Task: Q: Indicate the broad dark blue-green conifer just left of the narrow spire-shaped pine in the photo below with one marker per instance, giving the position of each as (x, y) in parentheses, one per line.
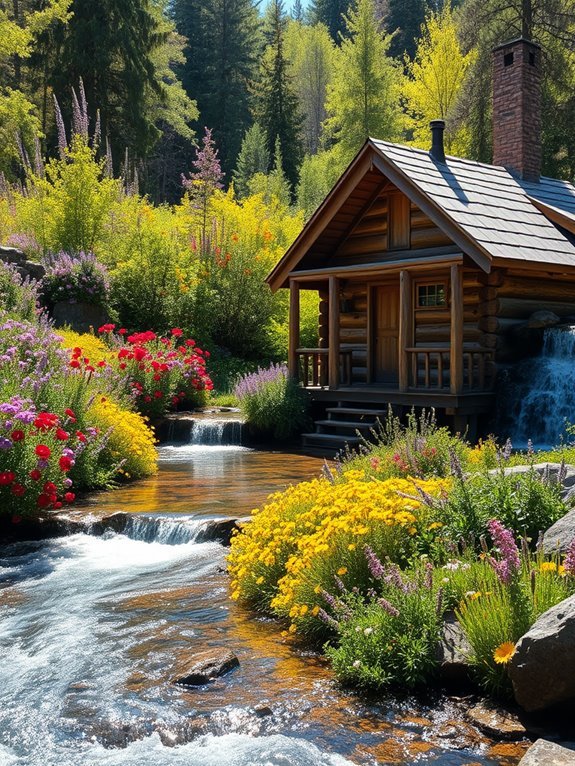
(221, 63)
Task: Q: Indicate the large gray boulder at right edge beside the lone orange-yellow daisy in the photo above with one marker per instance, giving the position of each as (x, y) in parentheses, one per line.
(542, 669)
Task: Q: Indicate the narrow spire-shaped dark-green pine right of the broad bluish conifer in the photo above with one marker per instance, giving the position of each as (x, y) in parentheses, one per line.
(277, 108)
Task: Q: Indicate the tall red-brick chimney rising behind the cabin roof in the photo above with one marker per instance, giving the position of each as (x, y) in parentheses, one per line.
(517, 108)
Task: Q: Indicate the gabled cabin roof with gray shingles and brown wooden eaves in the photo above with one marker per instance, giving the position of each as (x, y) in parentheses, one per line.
(488, 213)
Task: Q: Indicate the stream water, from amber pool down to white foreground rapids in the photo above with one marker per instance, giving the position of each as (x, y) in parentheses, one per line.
(94, 629)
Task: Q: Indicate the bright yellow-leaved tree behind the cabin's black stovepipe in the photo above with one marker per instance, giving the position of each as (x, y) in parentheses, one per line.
(435, 79)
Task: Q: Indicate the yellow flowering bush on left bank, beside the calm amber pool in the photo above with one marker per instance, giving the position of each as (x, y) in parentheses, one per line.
(131, 440)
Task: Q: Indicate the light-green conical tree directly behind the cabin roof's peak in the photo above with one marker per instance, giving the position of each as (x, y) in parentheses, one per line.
(363, 99)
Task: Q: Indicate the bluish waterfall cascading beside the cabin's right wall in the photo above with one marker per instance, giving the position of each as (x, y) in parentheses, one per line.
(545, 391)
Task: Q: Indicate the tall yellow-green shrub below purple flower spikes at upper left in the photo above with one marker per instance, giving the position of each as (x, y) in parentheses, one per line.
(69, 207)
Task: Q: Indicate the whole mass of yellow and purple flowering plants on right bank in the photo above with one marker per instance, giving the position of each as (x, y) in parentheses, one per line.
(368, 560)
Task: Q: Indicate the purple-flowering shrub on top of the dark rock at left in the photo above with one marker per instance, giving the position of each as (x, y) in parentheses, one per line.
(74, 279)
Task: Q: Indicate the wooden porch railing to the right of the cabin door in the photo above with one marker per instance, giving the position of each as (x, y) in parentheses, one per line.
(429, 368)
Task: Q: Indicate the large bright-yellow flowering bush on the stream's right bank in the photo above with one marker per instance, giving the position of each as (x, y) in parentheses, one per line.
(304, 537)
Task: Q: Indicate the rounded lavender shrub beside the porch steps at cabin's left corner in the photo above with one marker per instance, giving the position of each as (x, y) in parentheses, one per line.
(271, 402)
